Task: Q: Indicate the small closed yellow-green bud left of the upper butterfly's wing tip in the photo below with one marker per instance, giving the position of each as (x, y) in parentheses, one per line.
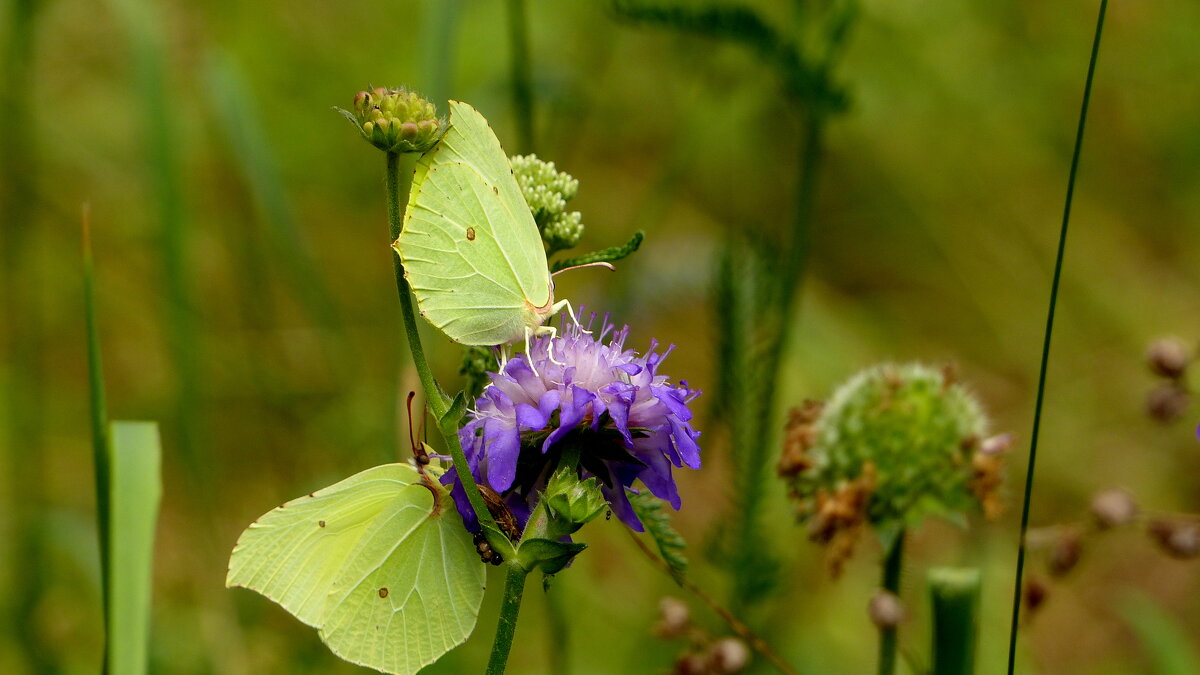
(397, 121)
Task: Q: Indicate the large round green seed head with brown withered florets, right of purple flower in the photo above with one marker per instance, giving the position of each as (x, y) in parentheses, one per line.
(895, 444)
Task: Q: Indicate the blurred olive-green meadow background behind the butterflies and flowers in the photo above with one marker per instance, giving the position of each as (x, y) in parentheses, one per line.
(247, 298)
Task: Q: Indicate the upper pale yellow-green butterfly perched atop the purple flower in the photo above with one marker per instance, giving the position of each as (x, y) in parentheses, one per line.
(470, 246)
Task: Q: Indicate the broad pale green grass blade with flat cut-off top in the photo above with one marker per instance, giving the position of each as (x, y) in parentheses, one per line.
(135, 491)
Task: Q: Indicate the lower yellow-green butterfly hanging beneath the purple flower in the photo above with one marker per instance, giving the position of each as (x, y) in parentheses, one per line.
(380, 564)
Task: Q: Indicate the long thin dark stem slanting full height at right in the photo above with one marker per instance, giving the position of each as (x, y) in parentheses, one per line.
(1046, 345)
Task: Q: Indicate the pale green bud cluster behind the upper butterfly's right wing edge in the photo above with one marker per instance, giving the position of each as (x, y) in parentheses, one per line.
(548, 192)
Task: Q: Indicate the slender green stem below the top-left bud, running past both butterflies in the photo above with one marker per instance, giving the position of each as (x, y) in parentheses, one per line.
(398, 200)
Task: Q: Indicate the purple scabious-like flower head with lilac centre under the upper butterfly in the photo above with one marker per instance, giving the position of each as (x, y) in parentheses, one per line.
(628, 421)
